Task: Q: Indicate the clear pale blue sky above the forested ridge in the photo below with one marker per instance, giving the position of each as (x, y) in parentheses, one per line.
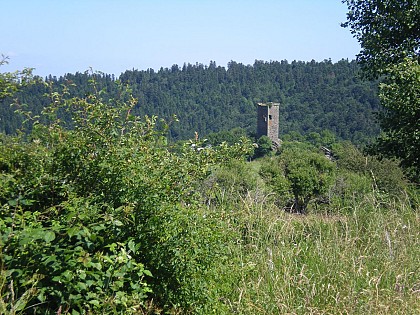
(112, 36)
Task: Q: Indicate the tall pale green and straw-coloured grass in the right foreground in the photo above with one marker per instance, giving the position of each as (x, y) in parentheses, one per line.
(365, 261)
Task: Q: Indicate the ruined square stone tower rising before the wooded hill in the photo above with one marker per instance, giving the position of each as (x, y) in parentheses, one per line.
(268, 121)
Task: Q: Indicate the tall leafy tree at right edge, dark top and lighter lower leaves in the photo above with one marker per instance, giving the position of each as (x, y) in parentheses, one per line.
(389, 34)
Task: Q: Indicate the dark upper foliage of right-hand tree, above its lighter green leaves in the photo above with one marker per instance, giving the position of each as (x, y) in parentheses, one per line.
(388, 32)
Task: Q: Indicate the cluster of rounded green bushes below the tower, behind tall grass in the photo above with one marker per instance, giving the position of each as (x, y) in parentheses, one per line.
(301, 177)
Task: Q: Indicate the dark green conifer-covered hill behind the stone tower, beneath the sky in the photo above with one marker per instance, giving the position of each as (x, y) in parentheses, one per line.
(208, 98)
